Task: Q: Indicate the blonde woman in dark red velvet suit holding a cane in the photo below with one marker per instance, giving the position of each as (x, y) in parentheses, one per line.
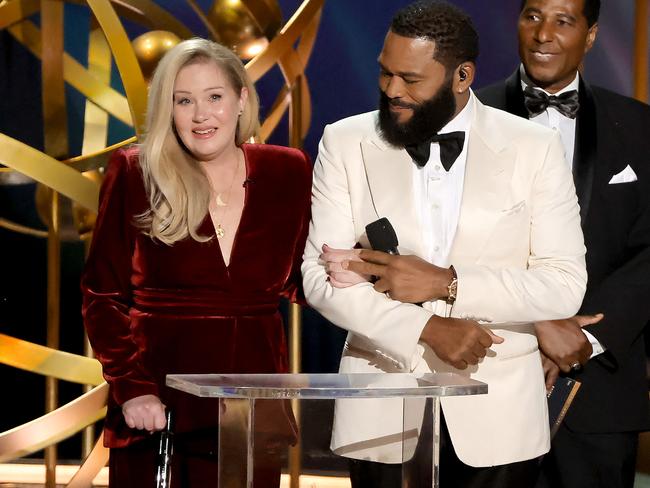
(198, 237)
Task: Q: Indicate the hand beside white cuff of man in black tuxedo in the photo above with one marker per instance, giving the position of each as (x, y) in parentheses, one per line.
(563, 340)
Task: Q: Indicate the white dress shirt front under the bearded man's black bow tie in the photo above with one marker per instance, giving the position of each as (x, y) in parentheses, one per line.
(437, 192)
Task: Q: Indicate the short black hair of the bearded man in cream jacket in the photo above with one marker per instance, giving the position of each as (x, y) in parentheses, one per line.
(450, 29)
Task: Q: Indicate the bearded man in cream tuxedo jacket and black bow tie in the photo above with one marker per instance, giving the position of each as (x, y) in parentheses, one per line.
(490, 242)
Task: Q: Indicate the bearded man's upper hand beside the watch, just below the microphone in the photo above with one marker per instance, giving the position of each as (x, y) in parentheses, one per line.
(408, 279)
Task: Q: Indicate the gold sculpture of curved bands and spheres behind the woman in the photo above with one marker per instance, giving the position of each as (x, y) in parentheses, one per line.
(67, 195)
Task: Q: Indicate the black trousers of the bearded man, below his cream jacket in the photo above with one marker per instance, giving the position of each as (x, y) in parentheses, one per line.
(453, 472)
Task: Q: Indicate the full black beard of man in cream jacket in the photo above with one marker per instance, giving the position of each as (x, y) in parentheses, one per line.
(426, 120)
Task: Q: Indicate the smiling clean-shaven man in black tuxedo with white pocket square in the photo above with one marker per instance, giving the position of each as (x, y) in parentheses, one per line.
(607, 140)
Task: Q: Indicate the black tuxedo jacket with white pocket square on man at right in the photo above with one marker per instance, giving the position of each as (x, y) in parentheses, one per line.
(612, 132)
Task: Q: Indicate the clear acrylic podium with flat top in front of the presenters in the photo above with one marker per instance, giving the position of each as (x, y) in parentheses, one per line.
(256, 420)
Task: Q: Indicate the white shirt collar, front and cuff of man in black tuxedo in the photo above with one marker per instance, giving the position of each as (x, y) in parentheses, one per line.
(552, 118)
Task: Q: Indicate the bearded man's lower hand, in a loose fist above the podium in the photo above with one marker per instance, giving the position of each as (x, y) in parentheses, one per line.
(458, 342)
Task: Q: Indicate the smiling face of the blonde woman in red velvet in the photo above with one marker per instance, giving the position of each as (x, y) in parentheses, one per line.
(206, 109)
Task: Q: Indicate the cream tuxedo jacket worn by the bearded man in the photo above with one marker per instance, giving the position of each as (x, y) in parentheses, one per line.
(519, 255)
